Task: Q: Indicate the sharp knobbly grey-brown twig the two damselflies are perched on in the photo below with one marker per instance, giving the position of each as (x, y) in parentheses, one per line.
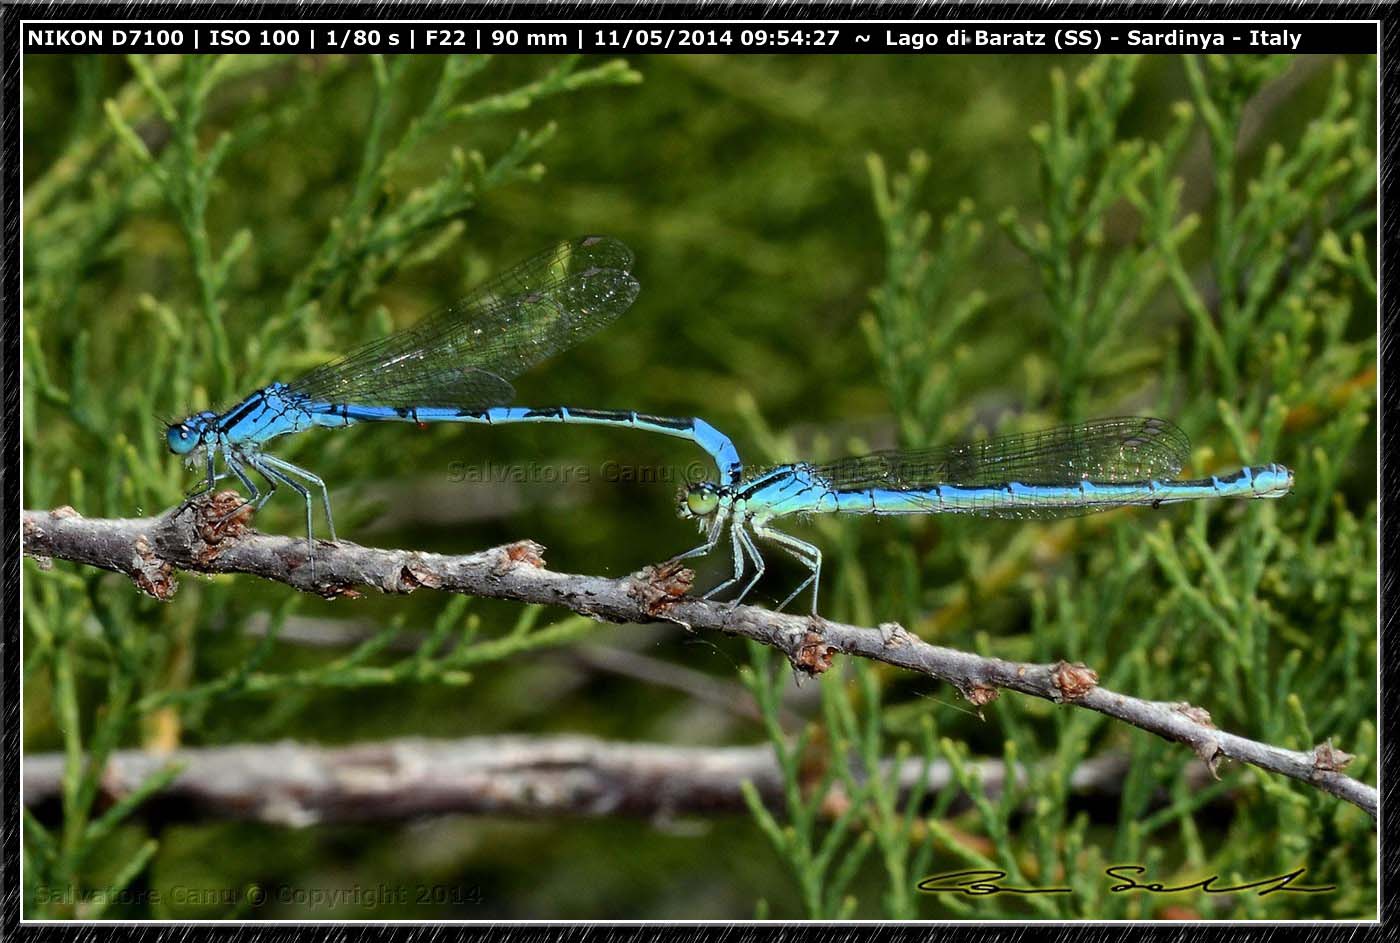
(149, 551)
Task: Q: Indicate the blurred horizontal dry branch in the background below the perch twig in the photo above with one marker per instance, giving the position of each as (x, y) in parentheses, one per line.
(296, 784)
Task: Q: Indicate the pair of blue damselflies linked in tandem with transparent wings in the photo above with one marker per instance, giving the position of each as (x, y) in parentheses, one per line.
(457, 366)
